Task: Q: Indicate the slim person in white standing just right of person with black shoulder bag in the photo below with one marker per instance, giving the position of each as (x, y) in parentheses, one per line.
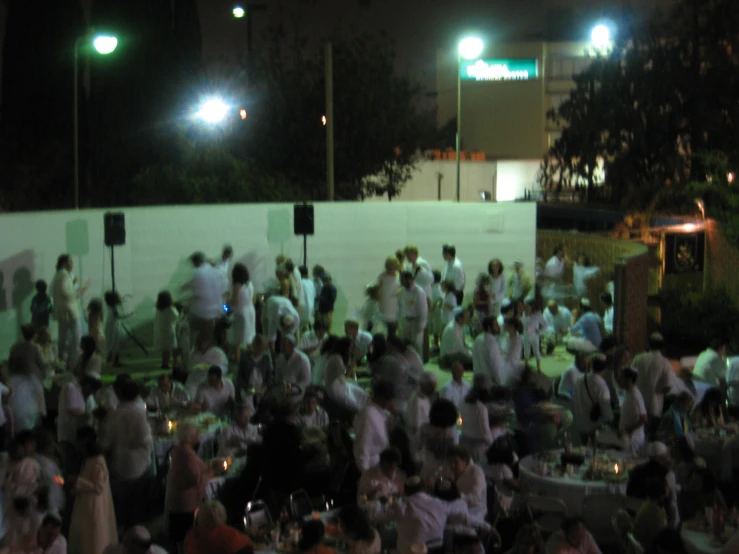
(655, 379)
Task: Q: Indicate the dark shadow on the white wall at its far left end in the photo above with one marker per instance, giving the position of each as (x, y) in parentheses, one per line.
(16, 291)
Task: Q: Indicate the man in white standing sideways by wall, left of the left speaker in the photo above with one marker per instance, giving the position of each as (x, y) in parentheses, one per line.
(66, 309)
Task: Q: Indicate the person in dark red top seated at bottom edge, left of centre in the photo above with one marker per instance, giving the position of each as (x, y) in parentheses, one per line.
(211, 534)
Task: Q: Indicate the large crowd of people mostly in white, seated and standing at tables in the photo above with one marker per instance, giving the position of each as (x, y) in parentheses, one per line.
(354, 420)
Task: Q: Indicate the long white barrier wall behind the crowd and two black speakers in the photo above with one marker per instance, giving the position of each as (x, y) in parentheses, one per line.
(351, 241)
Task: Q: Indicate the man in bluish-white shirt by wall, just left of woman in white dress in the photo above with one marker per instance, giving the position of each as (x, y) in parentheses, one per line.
(207, 287)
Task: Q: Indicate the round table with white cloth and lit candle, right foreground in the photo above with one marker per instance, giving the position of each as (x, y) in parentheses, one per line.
(571, 490)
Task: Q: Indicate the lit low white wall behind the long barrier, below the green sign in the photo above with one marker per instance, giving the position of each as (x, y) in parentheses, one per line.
(505, 180)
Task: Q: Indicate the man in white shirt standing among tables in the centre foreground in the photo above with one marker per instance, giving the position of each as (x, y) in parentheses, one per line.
(370, 427)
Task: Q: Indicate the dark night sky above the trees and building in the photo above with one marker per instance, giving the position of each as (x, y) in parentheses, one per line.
(419, 27)
